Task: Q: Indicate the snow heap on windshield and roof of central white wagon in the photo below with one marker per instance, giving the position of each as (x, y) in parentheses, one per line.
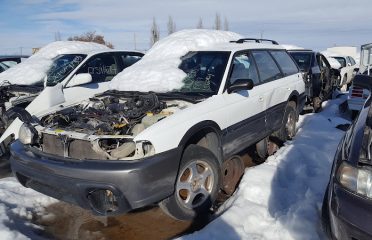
(158, 70)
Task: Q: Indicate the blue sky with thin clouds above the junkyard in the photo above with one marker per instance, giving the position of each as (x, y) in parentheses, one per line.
(315, 24)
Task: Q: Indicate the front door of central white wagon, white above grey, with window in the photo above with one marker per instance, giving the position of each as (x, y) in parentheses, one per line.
(246, 111)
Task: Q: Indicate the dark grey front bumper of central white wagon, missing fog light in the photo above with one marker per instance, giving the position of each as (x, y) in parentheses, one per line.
(135, 184)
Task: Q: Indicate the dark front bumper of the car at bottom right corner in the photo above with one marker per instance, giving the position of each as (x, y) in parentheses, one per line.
(350, 214)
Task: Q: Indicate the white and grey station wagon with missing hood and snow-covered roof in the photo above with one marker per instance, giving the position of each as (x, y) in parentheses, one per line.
(171, 139)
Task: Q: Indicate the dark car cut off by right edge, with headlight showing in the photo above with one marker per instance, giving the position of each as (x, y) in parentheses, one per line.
(347, 205)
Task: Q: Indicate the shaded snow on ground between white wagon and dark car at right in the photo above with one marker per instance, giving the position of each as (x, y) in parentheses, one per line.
(282, 198)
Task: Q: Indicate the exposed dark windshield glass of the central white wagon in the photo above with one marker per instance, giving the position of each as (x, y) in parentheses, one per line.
(204, 72)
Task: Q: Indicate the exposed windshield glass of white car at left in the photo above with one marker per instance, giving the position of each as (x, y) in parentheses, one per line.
(62, 66)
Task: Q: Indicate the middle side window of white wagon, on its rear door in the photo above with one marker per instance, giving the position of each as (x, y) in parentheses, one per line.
(266, 65)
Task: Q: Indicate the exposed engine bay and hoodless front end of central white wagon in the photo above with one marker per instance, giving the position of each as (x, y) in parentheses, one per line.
(104, 127)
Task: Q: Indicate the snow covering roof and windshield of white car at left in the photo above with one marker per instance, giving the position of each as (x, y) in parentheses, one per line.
(34, 69)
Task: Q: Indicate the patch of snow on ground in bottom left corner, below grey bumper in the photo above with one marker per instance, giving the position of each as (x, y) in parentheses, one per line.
(18, 207)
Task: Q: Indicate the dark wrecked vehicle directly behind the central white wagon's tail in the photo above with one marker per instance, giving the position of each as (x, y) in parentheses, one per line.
(320, 78)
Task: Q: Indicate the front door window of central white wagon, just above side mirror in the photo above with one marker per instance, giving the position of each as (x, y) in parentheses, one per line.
(243, 68)
